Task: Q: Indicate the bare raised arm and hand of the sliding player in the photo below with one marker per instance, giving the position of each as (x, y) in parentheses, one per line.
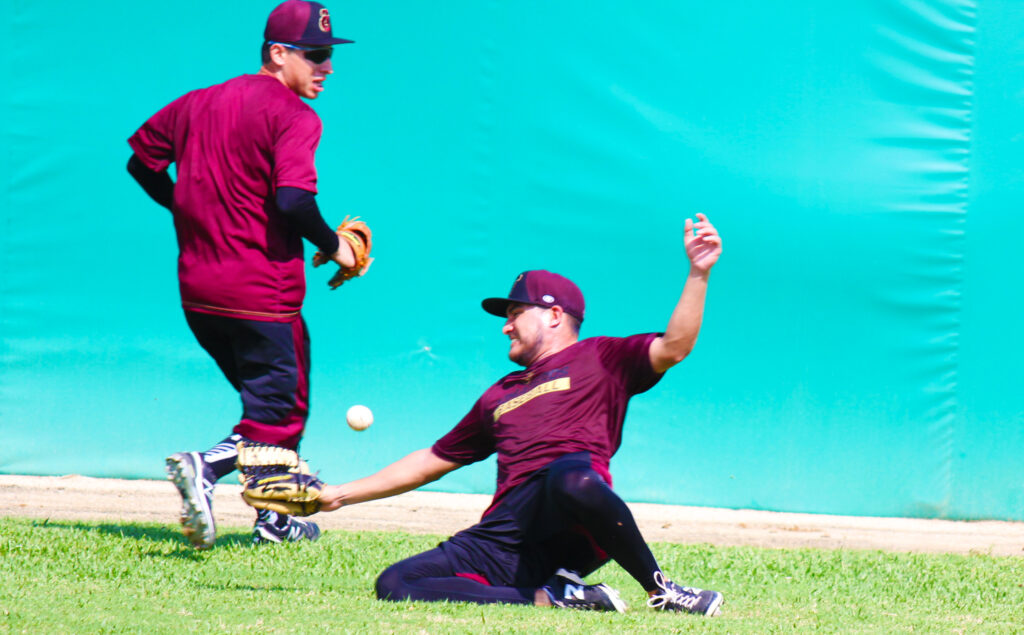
(704, 246)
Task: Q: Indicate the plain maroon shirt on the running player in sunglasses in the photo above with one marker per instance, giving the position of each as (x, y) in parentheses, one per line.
(235, 144)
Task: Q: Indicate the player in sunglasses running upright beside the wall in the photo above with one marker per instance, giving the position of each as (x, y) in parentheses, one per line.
(244, 200)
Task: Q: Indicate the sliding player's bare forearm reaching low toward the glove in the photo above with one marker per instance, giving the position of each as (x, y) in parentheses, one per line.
(417, 470)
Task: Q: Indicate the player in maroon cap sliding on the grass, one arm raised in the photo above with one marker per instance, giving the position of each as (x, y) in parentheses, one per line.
(556, 427)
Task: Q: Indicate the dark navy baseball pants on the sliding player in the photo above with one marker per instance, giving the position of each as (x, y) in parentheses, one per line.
(566, 516)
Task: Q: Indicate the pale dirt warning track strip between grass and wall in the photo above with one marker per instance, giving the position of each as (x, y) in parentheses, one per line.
(82, 498)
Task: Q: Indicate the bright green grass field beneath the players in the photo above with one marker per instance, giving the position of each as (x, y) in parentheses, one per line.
(64, 577)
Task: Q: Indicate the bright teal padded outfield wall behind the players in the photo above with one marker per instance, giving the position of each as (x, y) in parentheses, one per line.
(862, 158)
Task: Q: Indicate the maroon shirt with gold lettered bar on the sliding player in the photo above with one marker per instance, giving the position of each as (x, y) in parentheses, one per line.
(574, 401)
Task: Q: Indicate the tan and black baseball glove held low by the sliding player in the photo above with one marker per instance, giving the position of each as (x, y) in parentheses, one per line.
(276, 479)
